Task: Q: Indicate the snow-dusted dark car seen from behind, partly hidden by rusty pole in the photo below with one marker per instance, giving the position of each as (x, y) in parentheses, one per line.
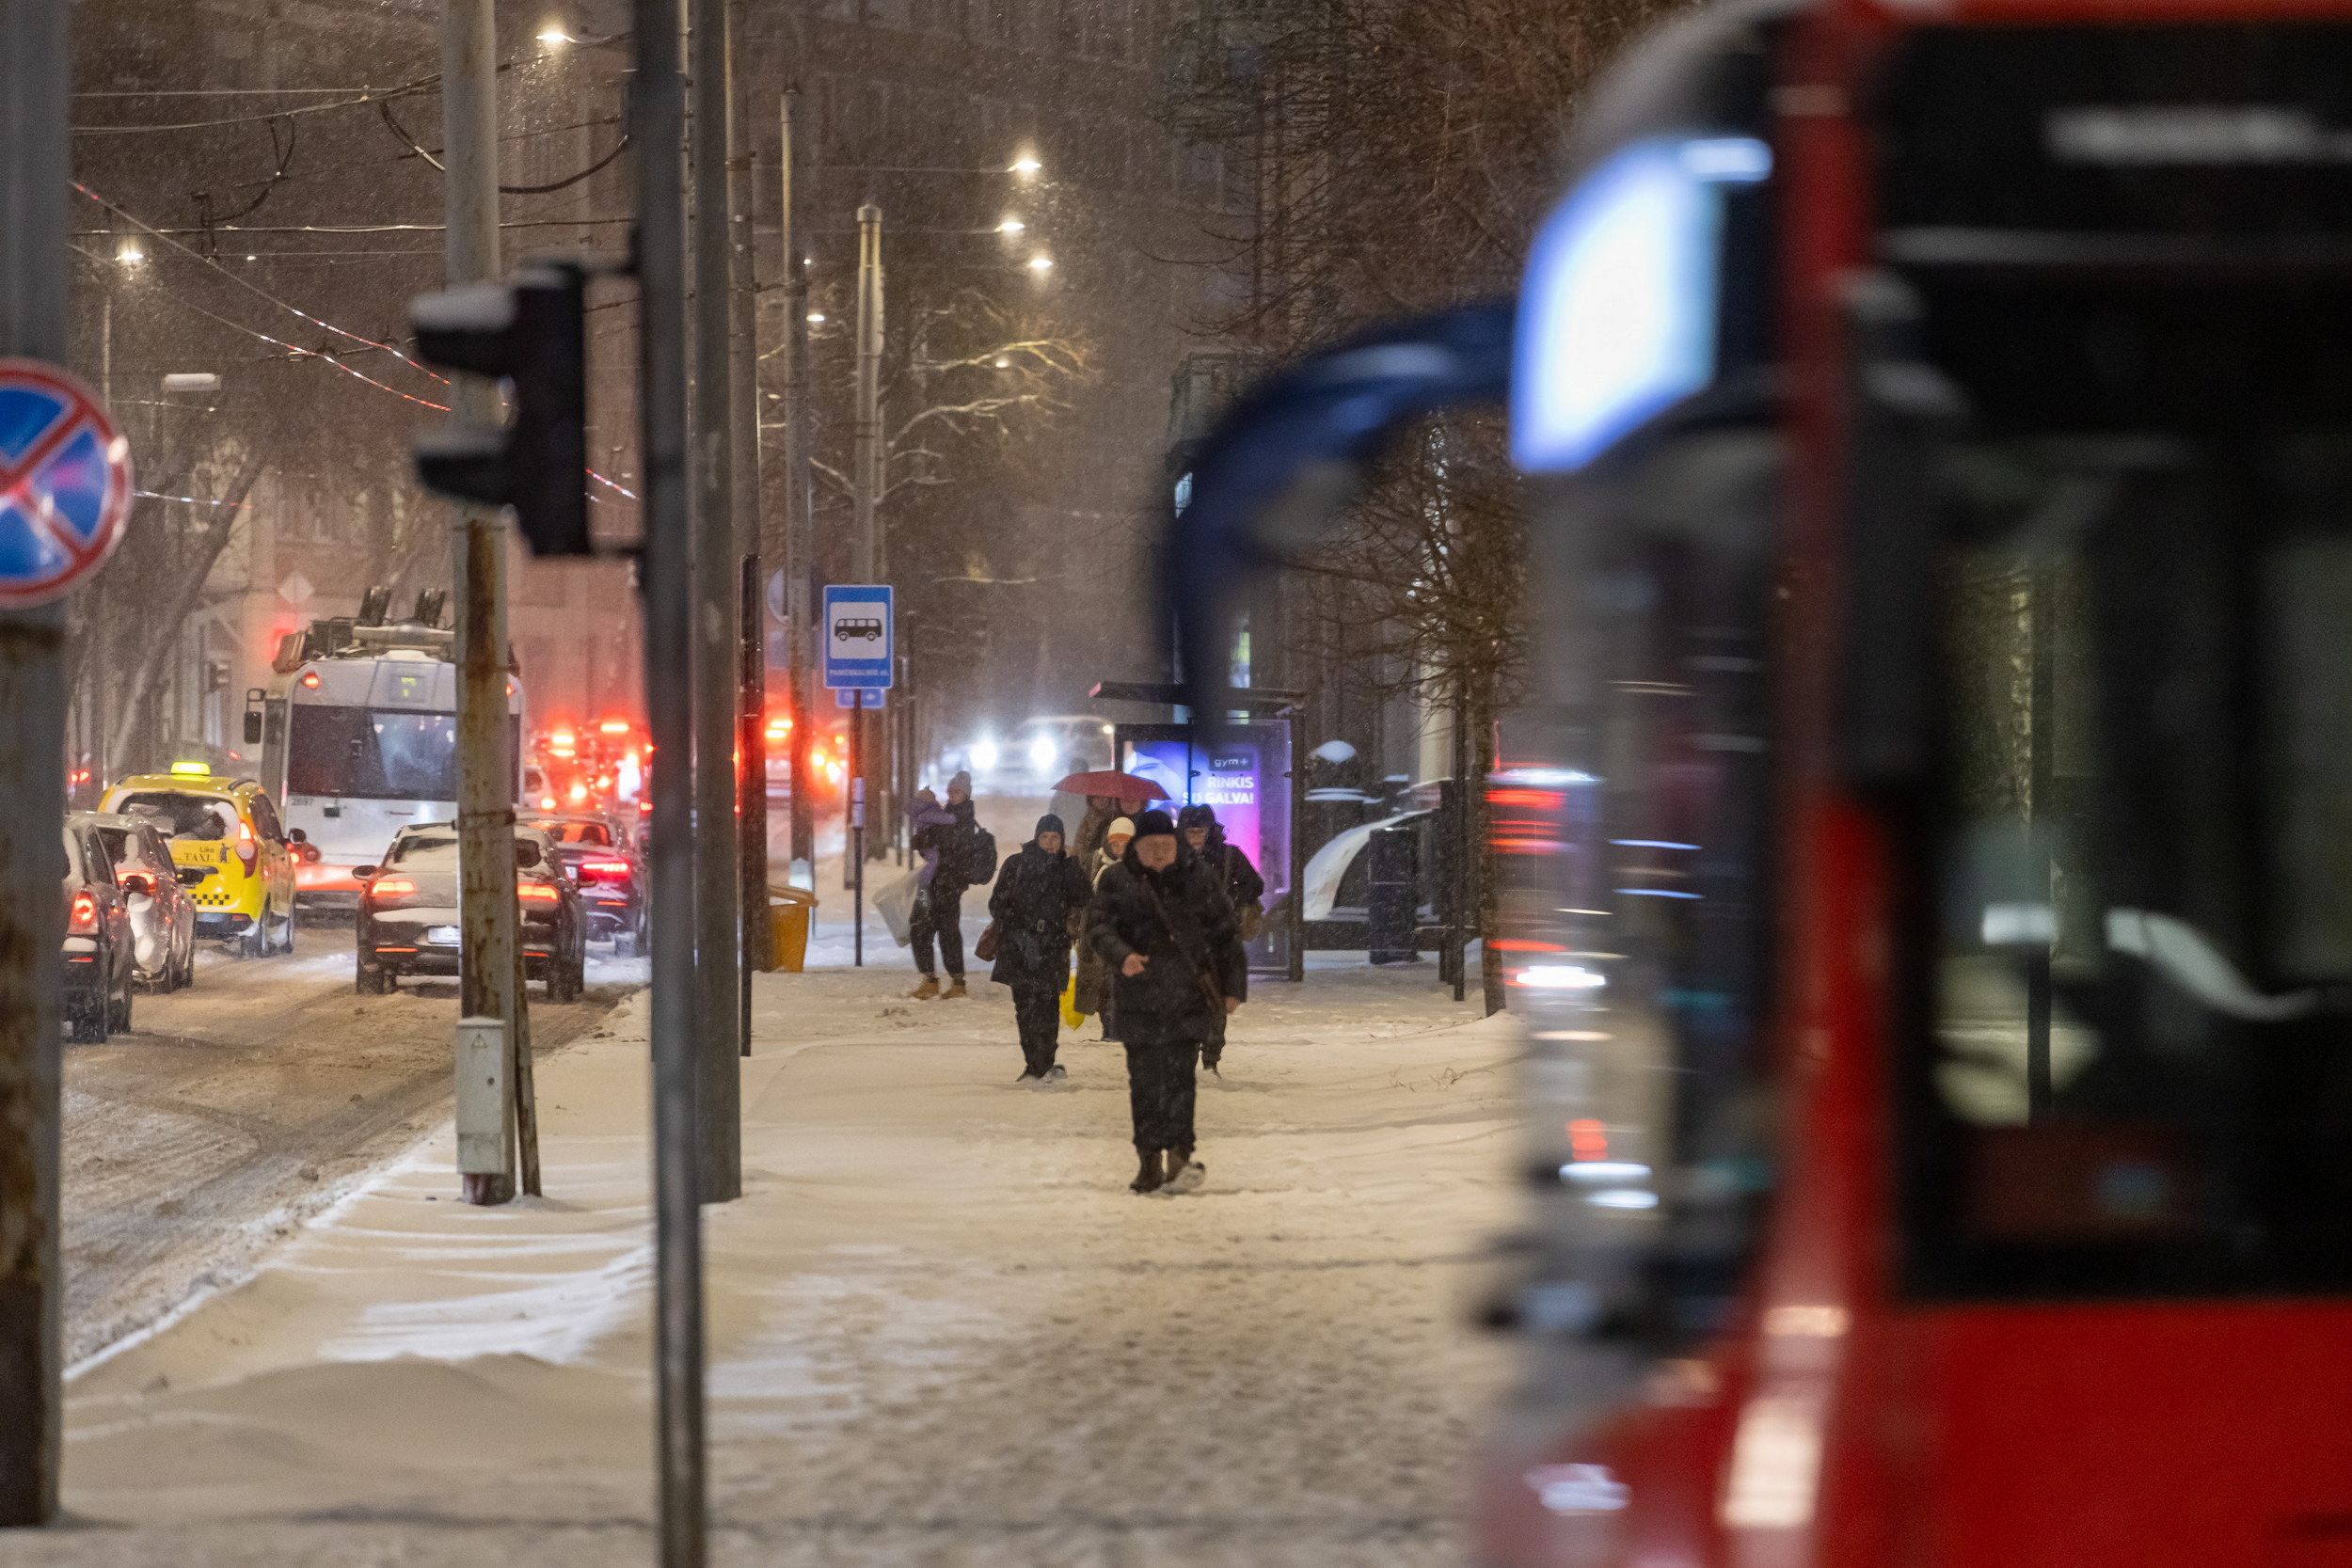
(408, 918)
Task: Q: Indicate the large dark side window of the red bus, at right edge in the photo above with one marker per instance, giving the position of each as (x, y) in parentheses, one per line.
(2137, 1073)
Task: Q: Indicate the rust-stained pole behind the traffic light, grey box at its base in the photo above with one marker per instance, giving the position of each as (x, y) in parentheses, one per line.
(486, 768)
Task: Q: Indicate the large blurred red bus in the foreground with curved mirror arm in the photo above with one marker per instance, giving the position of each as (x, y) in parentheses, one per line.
(1935, 909)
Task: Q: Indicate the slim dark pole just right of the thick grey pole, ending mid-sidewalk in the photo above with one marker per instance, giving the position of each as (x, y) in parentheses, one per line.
(751, 617)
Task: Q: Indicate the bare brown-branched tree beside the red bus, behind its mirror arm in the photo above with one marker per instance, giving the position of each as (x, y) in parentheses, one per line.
(1396, 159)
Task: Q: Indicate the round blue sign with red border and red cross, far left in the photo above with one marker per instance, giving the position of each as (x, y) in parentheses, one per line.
(65, 483)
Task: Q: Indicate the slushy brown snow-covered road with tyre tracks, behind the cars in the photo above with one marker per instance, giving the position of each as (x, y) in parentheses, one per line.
(236, 1111)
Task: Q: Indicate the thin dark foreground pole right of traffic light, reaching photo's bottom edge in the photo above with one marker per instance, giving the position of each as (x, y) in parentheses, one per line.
(669, 699)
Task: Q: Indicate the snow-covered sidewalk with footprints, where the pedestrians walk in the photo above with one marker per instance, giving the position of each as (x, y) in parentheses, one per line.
(942, 1332)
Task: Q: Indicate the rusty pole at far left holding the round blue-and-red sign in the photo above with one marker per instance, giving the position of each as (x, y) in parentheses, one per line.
(36, 74)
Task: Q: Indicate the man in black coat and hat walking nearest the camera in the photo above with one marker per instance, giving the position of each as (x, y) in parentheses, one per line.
(1165, 927)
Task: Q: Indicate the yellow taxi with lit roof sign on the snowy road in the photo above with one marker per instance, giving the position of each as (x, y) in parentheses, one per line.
(229, 831)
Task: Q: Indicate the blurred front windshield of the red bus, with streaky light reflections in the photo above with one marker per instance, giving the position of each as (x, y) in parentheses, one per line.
(1645, 974)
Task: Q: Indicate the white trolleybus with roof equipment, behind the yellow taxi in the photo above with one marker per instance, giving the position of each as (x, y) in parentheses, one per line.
(359, 737)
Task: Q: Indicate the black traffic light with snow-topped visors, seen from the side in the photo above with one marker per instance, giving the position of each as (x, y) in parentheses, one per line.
(535, 335)
